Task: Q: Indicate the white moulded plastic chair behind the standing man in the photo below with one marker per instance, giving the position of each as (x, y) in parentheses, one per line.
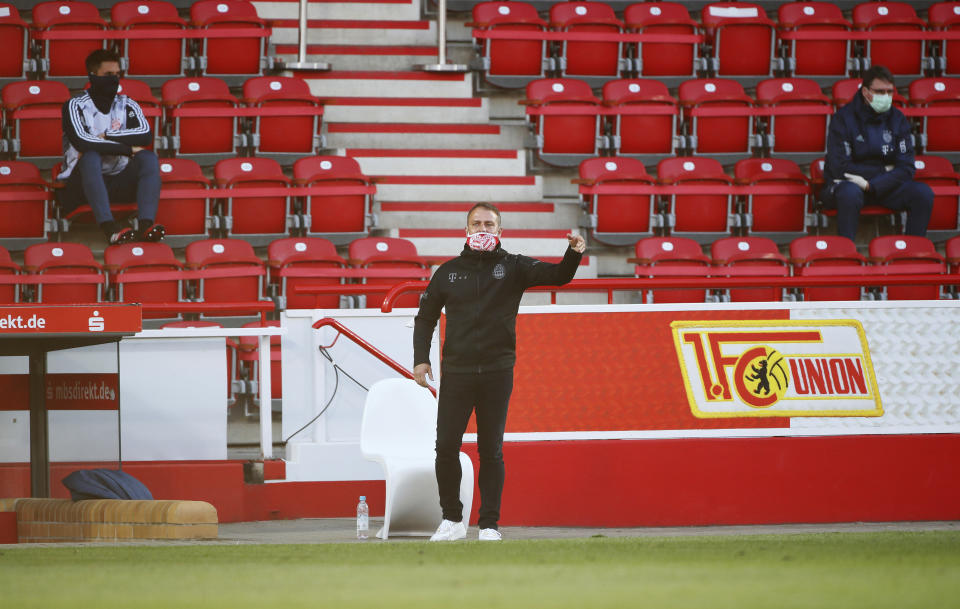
(399, 431)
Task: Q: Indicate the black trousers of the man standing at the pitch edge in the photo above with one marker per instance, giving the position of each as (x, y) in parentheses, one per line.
(460, 394)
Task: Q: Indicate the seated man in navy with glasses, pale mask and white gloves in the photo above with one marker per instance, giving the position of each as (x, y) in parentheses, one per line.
(870, 159)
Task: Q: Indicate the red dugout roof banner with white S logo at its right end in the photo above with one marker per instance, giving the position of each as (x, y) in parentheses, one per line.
(70, 319)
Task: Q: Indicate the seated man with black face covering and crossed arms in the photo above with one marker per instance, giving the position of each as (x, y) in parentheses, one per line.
(105, 136)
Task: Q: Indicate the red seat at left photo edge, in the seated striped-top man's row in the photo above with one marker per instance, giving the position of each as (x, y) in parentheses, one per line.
(26, 220)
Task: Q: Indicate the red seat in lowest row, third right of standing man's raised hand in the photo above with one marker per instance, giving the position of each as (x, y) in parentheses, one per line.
(825, 256)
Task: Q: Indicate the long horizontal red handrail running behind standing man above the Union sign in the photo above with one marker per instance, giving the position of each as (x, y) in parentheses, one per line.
(611, 285)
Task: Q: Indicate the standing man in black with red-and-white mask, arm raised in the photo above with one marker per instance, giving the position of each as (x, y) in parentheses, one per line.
(481, 291)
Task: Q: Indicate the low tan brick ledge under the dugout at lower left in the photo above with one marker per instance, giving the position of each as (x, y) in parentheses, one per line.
(63, 520)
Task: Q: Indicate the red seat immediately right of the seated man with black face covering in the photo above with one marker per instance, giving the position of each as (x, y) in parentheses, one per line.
(183, 218)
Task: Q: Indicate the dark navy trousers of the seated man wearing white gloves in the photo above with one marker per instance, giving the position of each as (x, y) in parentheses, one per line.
(915, 198)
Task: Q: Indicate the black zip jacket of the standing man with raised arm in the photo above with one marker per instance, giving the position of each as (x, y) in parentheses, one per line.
(481, 292)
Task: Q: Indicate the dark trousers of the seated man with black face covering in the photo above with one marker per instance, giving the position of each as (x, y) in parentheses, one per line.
(139, 181)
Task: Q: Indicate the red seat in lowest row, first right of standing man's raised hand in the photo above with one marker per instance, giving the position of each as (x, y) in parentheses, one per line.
(664, 257)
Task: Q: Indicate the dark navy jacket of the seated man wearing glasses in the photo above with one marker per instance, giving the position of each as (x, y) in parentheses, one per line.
(862, 142)
